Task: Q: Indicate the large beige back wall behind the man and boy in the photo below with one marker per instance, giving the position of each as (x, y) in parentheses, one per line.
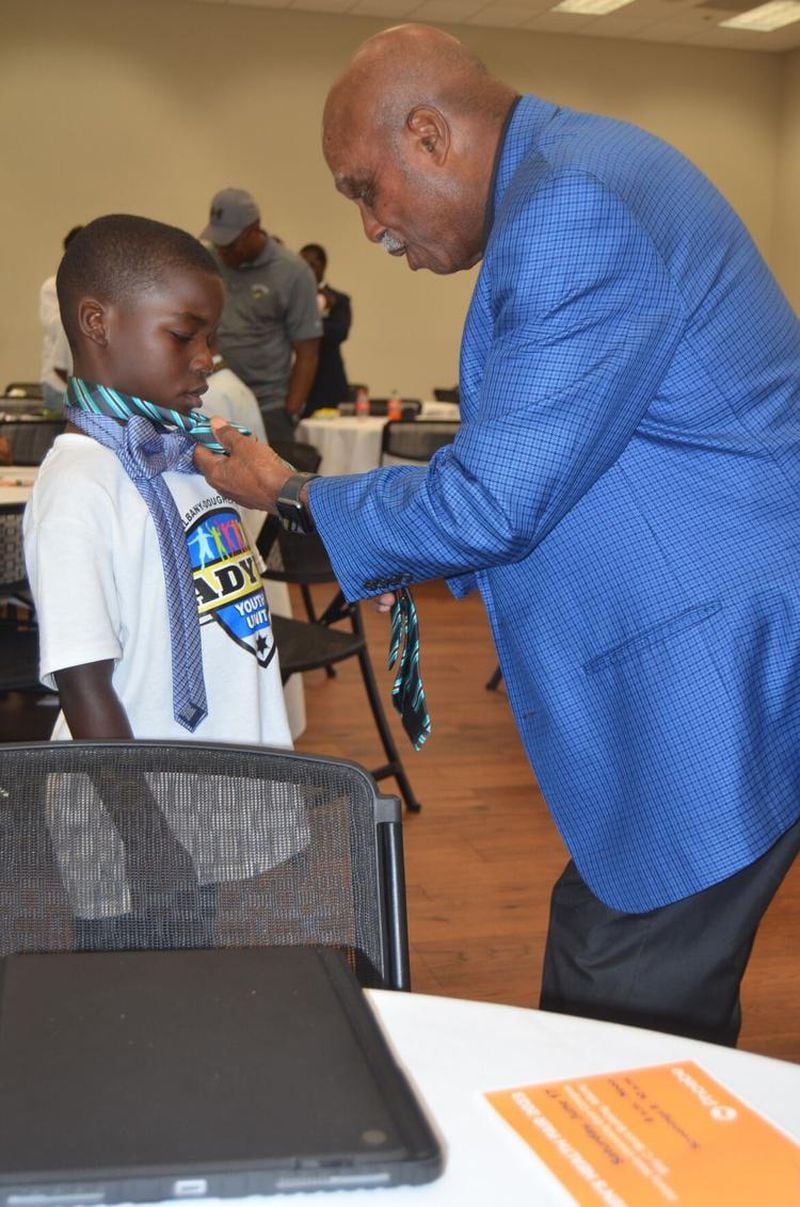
(151, 106)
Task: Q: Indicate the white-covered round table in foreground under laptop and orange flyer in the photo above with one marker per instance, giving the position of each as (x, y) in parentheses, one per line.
(454, 1052)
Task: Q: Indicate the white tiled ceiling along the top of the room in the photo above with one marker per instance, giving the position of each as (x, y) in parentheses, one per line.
(687, 22)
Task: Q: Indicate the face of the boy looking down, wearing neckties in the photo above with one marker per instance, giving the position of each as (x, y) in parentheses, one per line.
(159, 342)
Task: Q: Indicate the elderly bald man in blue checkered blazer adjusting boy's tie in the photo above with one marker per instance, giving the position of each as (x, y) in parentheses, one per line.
(624, 492)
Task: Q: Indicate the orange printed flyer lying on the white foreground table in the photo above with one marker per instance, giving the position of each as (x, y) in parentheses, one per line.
(651, 1138)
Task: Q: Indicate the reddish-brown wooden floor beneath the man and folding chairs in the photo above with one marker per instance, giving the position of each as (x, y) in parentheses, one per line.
(482, 856)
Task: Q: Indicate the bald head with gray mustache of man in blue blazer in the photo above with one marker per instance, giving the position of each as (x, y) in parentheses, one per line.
(410, 133)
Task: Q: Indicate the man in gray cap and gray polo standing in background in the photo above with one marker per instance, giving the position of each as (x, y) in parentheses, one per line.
(271, 326)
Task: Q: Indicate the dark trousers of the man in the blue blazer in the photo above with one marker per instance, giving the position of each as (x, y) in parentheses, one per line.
(678, 969)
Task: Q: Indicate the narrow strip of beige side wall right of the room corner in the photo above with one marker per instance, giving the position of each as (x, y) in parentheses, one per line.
(787, 212)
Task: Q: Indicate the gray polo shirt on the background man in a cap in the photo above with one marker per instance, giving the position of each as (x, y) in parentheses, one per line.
(271, 304)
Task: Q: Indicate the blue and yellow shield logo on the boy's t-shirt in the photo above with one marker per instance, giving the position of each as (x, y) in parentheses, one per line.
(227, 582)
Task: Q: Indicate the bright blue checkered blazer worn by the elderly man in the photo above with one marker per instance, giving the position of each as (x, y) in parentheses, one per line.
(626, 493)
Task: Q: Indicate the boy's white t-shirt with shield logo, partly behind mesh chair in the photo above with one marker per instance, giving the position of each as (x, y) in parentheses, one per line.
(96, 574)
